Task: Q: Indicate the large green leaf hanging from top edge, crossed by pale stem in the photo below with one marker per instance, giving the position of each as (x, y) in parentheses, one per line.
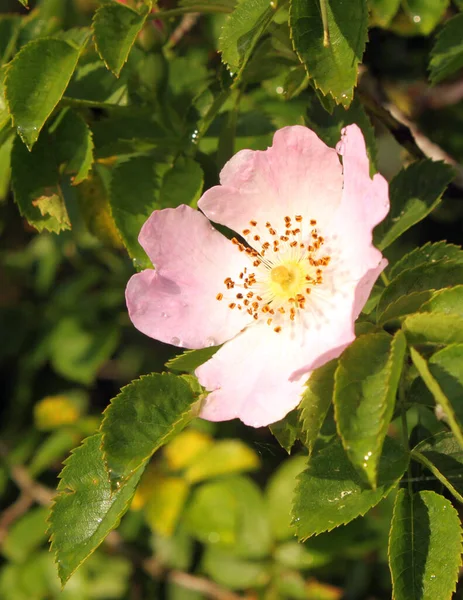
(332, 63)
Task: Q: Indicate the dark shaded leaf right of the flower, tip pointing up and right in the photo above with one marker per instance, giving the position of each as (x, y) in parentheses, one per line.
(414, 193)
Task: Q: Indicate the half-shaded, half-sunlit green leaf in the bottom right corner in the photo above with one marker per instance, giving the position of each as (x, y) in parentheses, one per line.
(424, 547)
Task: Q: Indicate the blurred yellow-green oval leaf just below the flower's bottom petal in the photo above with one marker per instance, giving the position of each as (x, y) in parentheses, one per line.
(222, 458)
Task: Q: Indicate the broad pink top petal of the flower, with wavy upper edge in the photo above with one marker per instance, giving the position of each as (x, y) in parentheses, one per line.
(297, 175)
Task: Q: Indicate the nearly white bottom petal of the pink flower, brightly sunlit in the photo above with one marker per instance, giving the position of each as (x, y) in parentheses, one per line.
(259, 376)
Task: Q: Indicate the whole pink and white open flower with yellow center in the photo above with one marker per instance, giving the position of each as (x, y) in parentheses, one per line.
(283, 302)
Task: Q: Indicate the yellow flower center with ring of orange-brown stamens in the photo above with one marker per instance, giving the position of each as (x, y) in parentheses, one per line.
(281, 275)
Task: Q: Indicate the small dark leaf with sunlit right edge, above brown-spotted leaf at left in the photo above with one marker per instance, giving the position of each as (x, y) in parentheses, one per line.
(73, 144)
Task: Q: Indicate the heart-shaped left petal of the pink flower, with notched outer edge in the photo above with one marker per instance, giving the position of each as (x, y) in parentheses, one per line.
(176, 303)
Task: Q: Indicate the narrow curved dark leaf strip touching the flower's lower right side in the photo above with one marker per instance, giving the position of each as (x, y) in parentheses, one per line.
(431, 276)
